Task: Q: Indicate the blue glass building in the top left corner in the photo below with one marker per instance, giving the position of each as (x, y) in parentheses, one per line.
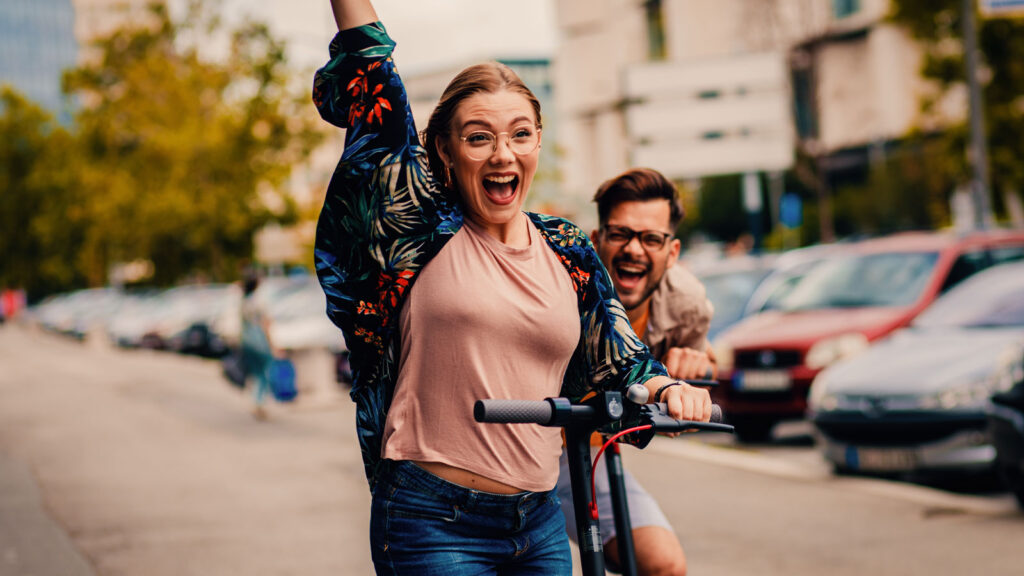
(37, 45)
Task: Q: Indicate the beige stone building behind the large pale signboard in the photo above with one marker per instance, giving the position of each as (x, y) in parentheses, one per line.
(848, 83)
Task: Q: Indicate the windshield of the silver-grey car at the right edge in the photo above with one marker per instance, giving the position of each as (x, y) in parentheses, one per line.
(988, 300)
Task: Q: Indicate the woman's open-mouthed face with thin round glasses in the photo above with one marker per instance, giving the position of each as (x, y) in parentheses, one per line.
(493, 185)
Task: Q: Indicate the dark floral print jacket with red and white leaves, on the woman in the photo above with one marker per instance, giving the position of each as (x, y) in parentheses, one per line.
(386, 218)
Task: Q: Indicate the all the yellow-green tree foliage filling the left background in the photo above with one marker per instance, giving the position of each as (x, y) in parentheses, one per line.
(177, 157)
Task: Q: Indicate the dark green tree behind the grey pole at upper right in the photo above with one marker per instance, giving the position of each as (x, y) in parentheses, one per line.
(937, 25)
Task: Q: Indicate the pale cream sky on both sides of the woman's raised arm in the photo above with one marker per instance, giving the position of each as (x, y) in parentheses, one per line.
(430, 33)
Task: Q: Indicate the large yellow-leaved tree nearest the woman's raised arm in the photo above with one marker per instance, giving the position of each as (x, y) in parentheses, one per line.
(185, 151)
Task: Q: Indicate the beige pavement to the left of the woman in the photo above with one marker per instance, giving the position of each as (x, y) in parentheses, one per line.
(140, 464)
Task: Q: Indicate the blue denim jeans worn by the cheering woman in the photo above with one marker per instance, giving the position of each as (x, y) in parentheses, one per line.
(423, 525)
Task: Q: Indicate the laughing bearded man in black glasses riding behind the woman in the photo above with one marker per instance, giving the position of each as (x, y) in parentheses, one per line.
(638, 213)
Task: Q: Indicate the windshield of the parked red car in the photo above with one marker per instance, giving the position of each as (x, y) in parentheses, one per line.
(892, 279)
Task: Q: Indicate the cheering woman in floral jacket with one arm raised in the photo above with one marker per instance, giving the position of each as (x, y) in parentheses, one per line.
(448, 293)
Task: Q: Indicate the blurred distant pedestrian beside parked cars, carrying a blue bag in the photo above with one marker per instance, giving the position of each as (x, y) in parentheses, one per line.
(258, 351)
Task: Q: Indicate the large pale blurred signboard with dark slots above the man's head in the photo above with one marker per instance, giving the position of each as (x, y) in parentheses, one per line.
(714, 116)
